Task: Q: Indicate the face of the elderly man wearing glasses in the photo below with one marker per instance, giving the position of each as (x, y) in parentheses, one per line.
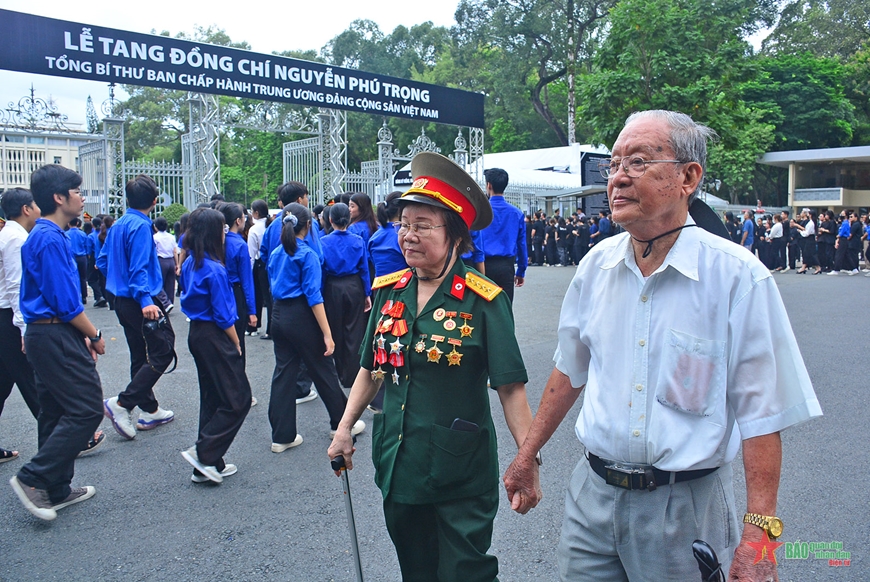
(658, 200)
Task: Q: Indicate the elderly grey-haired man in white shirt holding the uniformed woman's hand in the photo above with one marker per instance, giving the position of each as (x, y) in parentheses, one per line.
(653, 327)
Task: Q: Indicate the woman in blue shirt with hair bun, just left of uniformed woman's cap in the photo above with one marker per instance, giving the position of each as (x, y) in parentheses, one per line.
(346, 292)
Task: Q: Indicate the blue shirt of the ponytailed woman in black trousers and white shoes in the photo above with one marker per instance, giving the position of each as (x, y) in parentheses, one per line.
(296, 275)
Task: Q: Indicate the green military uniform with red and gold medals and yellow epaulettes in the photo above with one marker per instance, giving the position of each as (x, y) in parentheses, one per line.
(440, 485)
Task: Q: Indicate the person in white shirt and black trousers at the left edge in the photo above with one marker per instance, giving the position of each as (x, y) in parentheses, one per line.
(21, 214)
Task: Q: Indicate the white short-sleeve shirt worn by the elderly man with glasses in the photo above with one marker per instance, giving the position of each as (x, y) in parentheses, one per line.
(680, 366)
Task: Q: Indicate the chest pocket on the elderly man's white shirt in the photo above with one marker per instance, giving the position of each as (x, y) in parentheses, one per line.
(692, 374)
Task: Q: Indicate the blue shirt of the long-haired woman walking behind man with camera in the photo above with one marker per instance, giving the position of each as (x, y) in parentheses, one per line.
(206, 293)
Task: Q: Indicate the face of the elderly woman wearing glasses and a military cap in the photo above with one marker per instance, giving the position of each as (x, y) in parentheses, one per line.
(421, 250)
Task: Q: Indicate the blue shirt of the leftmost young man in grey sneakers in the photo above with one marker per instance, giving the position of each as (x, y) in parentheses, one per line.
(50, 278)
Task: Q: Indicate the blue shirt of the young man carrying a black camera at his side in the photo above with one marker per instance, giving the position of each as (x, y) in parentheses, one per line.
(132, 268)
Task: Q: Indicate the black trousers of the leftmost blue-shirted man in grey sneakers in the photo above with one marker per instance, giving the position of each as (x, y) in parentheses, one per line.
(71, 405)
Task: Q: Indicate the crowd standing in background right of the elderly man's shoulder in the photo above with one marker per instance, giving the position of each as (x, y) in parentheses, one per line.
(822, 242)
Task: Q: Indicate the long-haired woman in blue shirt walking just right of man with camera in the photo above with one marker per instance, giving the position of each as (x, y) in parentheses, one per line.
(224, 390)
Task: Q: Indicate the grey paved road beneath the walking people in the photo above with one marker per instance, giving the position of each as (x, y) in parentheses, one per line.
(282, 516)
